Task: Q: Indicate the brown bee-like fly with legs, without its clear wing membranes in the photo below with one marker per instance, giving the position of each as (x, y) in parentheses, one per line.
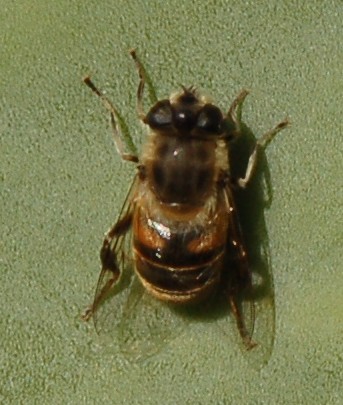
(180, 214)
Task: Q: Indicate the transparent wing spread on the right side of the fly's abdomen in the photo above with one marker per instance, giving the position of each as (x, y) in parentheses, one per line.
(250, 288)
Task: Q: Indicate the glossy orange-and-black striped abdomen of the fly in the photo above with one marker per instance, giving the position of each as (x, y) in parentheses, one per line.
(179, 262)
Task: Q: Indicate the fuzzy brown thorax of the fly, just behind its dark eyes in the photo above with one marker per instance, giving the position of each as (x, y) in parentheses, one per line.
(180, 170)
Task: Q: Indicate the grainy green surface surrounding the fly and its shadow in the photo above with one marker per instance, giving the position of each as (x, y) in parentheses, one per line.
(62, 185)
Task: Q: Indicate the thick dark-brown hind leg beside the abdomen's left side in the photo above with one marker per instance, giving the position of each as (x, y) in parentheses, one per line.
(109, 259)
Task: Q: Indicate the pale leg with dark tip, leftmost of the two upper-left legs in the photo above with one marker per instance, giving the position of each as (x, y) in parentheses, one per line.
(114, 116)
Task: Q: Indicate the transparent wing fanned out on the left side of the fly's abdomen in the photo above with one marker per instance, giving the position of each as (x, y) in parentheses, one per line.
(122, 309)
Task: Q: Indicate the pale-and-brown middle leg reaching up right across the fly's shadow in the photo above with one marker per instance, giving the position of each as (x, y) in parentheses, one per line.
(261, 144)
